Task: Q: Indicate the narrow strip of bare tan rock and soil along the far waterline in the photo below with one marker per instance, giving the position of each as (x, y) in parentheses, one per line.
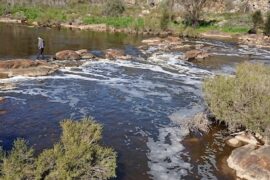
(259, 40)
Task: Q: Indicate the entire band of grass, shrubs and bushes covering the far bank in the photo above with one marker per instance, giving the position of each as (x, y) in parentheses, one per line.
(190, 20)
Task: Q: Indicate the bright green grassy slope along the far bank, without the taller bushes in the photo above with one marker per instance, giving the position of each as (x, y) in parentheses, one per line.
(132, 18)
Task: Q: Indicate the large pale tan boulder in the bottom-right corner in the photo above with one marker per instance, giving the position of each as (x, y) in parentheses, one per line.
(251, 163)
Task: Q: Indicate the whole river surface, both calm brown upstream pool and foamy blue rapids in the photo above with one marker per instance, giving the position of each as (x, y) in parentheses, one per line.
(143, 104)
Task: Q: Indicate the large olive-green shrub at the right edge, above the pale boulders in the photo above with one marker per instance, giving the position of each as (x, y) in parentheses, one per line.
(243, 99)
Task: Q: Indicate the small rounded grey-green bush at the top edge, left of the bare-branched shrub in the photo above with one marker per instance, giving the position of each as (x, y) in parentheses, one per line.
(114, 8)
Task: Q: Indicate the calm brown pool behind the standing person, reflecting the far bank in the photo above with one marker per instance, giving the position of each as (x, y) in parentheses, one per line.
(18, 41)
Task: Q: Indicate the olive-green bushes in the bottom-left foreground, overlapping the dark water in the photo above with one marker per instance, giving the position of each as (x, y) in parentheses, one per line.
(78, 155)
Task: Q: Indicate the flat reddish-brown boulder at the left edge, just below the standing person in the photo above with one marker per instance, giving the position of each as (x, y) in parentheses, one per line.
(25, 67)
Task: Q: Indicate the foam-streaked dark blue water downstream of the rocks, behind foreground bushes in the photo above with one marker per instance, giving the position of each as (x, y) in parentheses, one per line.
(133, 100)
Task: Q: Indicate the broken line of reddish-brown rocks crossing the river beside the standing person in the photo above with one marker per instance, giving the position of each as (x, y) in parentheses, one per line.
(67, 58)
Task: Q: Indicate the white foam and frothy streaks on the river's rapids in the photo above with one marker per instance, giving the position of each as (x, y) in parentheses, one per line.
(159, 79)
